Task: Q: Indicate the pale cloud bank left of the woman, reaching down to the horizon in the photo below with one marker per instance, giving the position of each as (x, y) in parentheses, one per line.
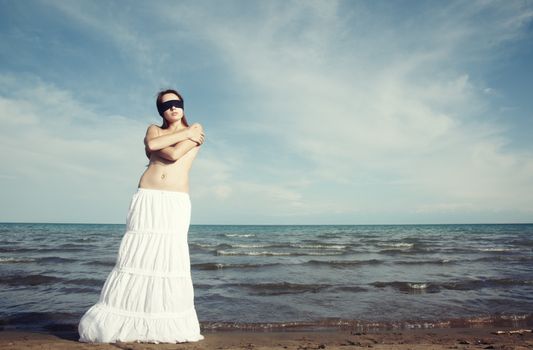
(63, 159)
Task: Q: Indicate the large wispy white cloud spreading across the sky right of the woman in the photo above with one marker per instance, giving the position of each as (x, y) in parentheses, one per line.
(397, 105)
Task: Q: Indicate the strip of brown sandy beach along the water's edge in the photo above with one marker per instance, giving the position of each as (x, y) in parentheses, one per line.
(432, 339)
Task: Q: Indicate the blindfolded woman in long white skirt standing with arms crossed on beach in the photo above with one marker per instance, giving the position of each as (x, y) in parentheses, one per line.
(148, 296)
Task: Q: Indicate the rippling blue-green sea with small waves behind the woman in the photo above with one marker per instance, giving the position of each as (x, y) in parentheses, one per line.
(255, 277)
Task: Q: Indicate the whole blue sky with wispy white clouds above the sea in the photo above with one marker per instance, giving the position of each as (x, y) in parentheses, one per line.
(315, 112)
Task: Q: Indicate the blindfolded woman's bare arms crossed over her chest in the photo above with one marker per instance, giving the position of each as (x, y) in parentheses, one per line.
(174, 145)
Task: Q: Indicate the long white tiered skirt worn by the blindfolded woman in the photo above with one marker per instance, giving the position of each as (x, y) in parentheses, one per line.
(148, 296)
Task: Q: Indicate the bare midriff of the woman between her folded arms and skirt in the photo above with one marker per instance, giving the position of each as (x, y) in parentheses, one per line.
(164, 174)
